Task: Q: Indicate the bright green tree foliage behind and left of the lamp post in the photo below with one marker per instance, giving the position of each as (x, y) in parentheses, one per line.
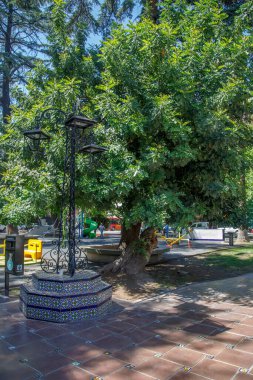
(31, 184)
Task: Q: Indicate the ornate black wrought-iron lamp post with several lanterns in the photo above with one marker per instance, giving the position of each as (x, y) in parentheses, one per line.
(71, 257)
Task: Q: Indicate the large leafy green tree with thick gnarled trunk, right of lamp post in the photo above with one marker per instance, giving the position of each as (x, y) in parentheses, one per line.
(176, 96)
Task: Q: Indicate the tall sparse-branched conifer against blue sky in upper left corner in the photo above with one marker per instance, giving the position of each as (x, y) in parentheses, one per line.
(21, 23)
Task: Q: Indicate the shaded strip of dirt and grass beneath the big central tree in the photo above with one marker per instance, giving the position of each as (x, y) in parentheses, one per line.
(179, 272)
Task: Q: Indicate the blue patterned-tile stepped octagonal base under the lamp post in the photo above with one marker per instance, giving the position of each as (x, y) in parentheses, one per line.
(55, 298)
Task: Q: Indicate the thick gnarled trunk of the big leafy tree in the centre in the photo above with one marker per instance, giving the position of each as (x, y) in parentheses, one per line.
(137, 249)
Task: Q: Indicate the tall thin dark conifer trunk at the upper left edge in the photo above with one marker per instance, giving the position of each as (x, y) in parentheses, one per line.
(7, 66)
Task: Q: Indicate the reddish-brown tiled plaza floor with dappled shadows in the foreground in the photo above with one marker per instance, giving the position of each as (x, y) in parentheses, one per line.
(201, 331)
